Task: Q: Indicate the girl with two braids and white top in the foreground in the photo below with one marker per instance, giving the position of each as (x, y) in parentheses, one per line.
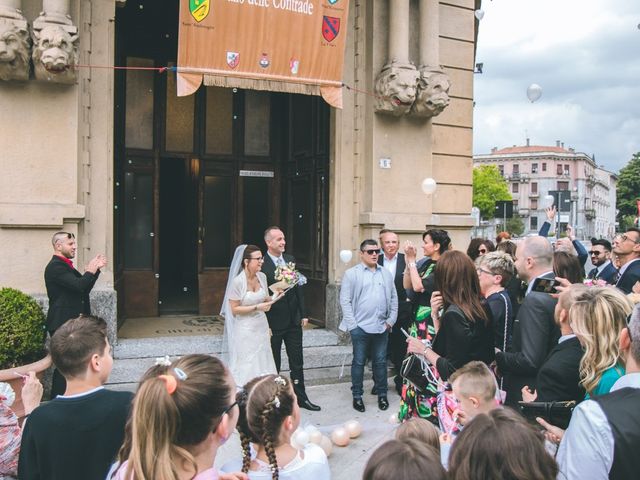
(269, 414)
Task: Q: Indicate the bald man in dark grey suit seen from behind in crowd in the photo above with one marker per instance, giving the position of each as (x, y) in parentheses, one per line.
(535, 332)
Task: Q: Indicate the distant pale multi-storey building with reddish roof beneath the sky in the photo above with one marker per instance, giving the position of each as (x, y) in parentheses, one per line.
(532, 171)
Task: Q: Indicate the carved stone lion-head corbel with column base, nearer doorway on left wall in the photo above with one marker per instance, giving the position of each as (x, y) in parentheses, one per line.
(55, 43)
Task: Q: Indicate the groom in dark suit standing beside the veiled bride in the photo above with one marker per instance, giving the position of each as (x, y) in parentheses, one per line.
(286, 316)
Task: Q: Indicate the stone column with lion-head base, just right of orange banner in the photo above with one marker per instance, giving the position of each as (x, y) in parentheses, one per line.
(396, 83)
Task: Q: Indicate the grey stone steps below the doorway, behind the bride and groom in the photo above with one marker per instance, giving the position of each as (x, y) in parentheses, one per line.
(323, 364)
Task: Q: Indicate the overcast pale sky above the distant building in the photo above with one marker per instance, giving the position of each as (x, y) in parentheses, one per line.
(585, 54)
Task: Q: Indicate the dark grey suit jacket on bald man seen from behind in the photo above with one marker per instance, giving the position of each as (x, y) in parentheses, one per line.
(534, 335)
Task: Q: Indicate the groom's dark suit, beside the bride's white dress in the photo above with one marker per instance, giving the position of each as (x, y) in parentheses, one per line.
(285, 322)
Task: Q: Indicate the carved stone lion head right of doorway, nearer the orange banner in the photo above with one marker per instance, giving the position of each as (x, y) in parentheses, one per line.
(396, 89)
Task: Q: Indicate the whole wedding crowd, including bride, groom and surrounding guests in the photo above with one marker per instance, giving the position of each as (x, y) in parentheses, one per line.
(510, 363)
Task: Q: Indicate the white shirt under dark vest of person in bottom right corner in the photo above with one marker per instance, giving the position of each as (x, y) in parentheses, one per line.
(586, 450)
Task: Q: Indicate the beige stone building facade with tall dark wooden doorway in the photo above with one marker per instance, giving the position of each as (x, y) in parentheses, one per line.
(74, 155)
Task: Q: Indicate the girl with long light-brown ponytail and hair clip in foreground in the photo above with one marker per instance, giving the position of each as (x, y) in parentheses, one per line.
(182, 413)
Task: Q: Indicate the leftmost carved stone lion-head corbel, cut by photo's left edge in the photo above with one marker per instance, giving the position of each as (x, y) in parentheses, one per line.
(15, 44)
